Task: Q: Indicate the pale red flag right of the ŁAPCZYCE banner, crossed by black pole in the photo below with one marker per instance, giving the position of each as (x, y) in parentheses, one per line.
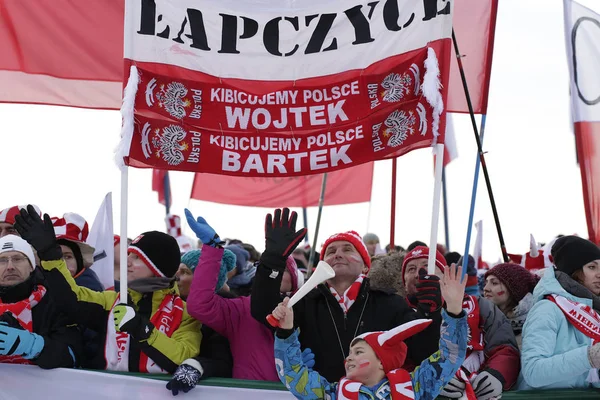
(474, 24)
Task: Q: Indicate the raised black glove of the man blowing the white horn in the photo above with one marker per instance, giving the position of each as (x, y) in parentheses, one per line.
(281, 237)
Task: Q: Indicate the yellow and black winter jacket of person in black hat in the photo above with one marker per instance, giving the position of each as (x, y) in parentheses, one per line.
(91, 309)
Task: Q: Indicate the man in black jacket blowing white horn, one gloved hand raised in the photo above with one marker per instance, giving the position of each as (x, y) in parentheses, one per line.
(335, 312)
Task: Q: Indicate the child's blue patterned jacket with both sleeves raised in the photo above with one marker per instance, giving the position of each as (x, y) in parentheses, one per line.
(427, 379)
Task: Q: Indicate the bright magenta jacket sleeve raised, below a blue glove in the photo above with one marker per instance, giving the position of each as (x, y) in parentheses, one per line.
(204, 304)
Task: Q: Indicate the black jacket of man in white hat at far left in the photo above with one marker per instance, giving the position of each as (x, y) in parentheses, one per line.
(62, 339)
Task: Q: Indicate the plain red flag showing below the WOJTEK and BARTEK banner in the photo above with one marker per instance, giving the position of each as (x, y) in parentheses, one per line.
(351, 185)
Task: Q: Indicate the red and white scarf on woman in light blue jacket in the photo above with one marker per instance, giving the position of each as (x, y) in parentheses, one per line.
(584, 318)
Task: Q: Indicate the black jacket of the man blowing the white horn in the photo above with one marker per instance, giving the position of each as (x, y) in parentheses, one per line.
(325, 328)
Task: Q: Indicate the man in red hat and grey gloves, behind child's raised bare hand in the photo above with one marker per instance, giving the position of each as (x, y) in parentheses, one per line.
(492, 364)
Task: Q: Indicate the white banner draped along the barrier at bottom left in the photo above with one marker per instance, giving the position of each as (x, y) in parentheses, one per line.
(29, 382)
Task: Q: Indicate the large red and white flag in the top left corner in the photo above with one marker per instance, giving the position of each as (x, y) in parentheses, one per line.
(62, 52)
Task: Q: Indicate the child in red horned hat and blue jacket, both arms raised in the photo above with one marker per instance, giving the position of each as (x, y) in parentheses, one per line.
(374, 364)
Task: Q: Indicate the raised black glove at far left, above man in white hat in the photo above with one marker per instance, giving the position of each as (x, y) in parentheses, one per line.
(39, 234)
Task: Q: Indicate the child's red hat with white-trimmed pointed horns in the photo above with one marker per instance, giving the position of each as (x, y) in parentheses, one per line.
(389, 345)
